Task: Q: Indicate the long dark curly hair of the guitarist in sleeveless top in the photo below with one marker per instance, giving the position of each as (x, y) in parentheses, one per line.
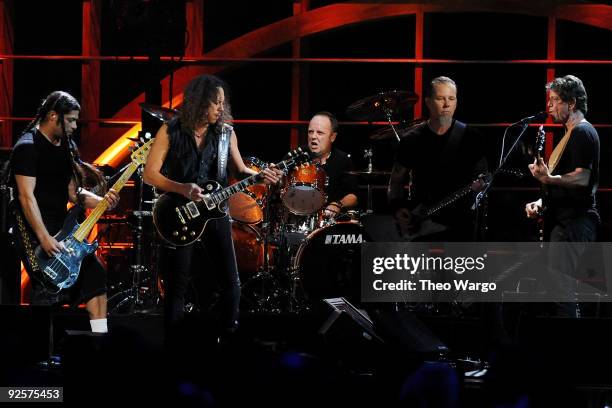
(198, 95)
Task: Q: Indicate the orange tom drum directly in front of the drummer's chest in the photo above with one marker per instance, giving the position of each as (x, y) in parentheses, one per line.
(304, 191)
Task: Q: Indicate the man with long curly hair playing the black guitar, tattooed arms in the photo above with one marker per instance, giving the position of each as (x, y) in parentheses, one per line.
(199, 145)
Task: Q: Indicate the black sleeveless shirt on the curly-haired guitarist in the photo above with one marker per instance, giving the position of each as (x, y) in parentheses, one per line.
(184, 160)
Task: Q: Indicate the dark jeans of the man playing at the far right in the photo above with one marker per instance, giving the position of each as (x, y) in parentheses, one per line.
(569, 240)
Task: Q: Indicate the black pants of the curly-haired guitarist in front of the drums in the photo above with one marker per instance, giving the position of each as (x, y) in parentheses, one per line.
(181, 262)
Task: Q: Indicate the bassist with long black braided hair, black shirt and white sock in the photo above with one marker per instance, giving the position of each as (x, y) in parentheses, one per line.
(47, 173)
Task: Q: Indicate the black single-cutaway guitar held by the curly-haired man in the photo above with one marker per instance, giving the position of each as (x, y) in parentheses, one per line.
(181, 221)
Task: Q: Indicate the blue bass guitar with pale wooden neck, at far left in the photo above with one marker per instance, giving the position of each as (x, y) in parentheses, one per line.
(61, 271)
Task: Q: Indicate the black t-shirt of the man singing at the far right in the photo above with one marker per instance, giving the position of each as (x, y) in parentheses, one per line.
(582, 150)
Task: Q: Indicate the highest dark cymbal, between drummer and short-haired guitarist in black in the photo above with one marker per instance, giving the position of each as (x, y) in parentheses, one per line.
(377, 106)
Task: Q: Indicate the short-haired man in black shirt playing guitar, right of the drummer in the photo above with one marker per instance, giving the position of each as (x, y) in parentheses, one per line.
(437, 157)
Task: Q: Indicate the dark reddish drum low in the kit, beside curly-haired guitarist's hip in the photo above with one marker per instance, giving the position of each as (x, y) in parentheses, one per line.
(249, 248)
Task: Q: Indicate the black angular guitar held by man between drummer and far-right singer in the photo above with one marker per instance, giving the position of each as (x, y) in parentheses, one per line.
(423, 225)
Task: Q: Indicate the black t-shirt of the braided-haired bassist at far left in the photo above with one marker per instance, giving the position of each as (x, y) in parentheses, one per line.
(35, 156)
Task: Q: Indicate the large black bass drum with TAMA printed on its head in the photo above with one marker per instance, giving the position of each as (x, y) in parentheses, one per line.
(329, 261)
